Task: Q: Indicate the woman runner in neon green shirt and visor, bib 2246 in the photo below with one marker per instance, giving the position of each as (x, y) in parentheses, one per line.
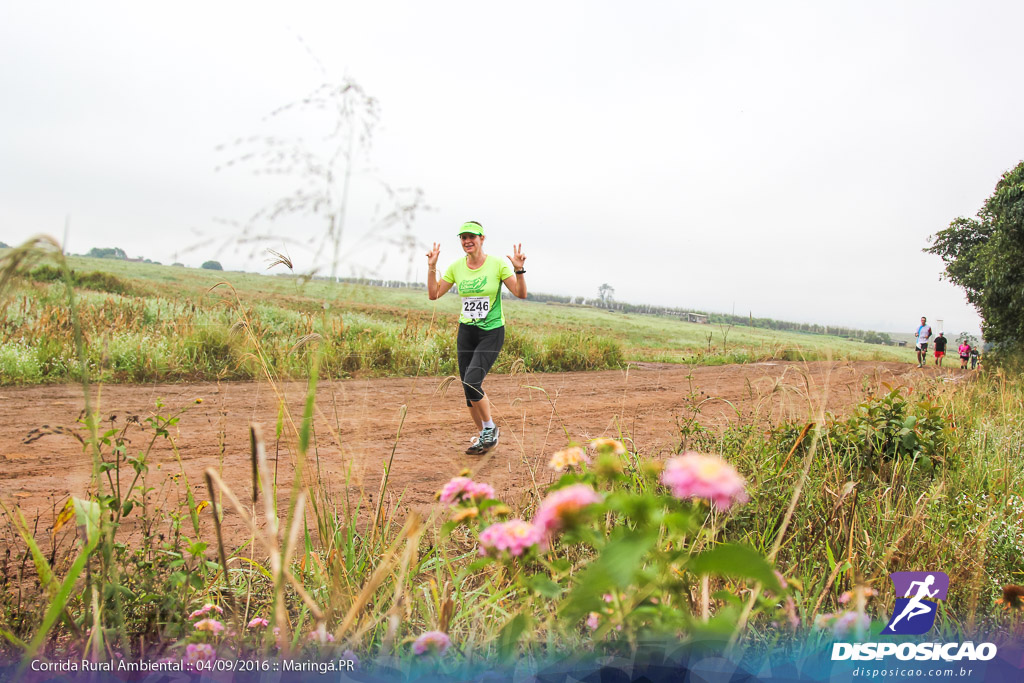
(482, 324)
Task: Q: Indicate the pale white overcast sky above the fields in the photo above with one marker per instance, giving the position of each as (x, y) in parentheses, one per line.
(786, 159)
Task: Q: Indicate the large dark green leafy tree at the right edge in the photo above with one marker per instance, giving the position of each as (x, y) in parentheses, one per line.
(986, 257)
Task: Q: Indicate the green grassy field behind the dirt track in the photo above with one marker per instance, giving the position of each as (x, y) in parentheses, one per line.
(154, 323)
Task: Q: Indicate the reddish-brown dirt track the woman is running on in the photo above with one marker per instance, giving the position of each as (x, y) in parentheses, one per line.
(364, 416)
